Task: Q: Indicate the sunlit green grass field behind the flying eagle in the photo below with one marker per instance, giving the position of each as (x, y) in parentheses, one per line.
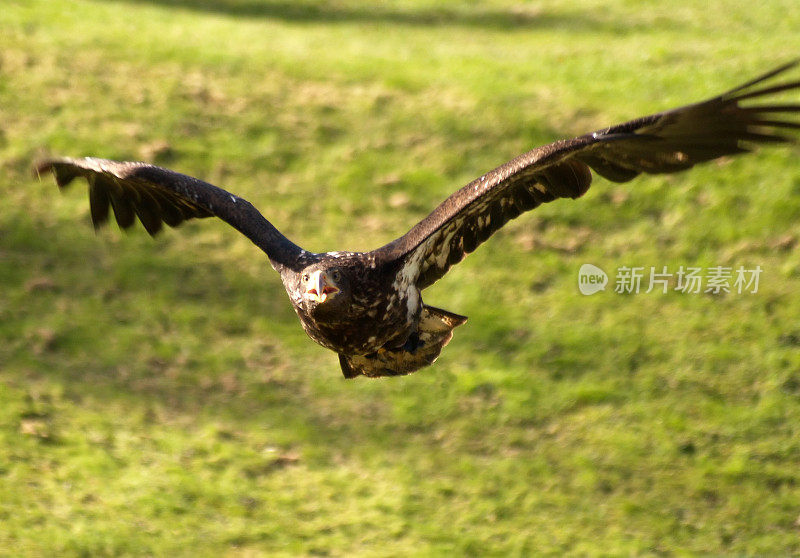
(159, 397)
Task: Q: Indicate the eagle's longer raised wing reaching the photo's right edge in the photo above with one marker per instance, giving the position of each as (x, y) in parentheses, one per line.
(666, 142)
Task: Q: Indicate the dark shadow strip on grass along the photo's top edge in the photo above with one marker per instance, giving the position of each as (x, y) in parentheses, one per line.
(474, 16)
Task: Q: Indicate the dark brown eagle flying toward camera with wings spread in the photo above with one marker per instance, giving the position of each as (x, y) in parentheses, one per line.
(367, 306)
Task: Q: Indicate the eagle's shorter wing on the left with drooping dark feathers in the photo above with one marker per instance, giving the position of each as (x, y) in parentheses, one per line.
(156, 196)
